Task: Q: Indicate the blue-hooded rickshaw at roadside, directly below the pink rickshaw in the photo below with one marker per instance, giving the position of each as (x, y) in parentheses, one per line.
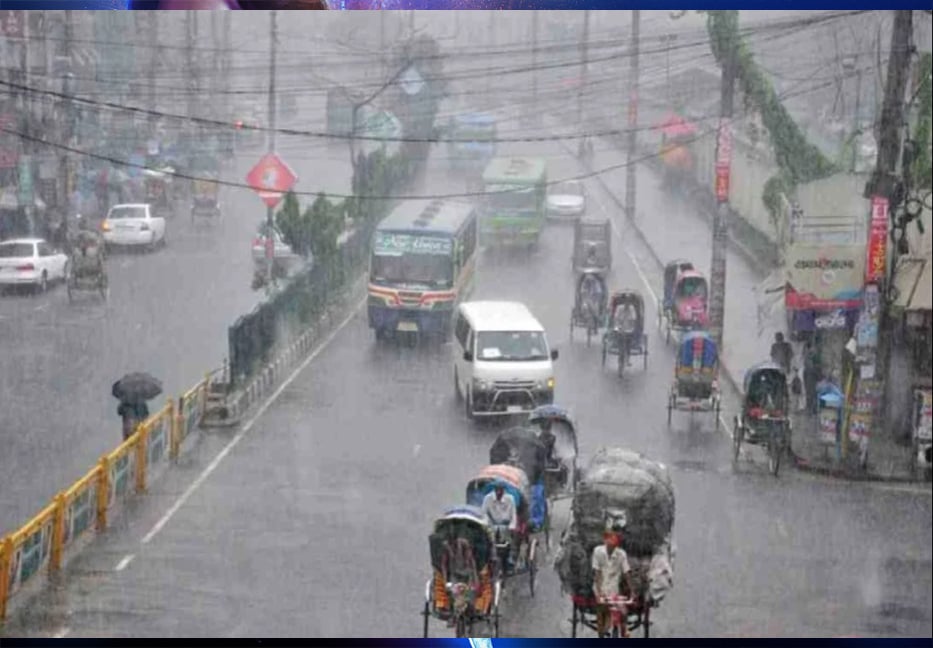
(696, 377)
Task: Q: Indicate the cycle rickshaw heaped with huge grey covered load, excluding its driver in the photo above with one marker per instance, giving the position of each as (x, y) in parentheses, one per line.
(620, 489)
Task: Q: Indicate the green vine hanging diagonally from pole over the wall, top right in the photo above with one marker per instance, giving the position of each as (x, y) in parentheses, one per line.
(799, 160)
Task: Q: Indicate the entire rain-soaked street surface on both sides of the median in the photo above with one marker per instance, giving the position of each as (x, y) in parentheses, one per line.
(312, 517)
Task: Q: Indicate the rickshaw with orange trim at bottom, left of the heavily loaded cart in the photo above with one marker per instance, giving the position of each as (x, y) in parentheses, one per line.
(466, 585)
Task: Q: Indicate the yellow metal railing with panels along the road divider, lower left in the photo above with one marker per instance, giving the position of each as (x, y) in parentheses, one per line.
(44, 540)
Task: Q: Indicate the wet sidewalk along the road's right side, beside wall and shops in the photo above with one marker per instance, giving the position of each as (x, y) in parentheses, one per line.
(674, 229)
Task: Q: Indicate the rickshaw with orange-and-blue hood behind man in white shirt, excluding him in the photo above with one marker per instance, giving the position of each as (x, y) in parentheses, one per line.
(532, 518)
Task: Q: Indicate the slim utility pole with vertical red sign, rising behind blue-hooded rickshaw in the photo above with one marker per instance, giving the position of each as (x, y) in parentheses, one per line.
(717, 299)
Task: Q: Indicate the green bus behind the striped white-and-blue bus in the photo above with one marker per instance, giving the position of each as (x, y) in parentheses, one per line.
(515, 201)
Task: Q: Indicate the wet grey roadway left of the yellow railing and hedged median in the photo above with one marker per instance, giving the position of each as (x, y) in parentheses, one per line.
(167, 314)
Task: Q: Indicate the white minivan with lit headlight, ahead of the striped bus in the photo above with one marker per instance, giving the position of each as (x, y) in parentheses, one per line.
(502, 362)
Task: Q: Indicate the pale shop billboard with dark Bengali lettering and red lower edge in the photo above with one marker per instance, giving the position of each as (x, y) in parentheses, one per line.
(824, 277)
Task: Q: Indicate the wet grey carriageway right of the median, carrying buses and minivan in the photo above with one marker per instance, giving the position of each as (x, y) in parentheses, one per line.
(316, 522)
